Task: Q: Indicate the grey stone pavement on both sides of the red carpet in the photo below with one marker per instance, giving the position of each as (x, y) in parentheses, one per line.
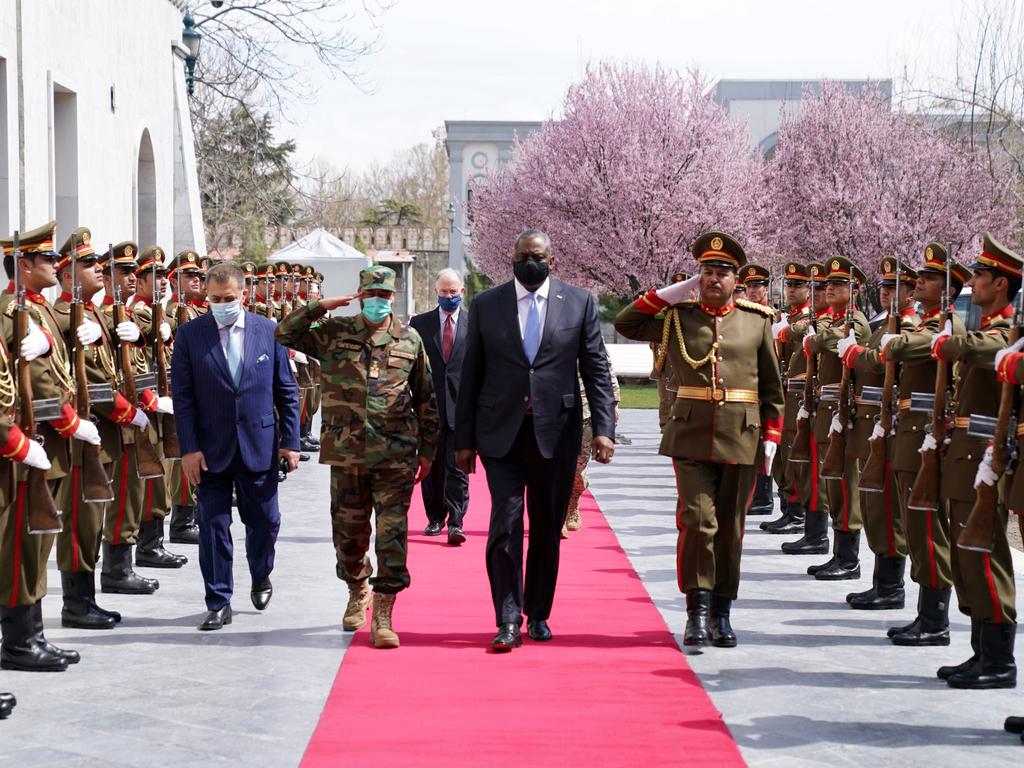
(812, 682)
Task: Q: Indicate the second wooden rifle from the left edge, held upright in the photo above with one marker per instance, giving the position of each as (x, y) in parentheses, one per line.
(96, 484)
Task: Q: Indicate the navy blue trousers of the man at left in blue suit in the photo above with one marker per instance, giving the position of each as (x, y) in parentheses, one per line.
(258, 496)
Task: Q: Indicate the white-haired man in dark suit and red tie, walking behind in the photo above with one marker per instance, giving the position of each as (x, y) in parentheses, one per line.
(446, 492)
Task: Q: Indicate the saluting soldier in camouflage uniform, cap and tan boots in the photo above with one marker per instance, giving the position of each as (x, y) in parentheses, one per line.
(379, 434)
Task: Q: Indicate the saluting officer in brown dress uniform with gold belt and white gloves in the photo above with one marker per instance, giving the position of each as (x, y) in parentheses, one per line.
(730, 400)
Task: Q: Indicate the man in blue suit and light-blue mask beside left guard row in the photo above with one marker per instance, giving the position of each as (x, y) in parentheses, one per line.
(237, 411)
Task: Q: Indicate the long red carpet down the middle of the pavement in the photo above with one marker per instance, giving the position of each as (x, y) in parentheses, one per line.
(612, 690)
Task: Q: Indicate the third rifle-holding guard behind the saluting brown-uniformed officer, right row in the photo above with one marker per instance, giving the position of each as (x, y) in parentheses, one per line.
(805, 474)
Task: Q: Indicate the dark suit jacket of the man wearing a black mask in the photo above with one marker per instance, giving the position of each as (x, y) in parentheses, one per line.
(498, 380)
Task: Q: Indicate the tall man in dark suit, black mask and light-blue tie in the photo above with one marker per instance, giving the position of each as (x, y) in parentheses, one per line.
(520, 409)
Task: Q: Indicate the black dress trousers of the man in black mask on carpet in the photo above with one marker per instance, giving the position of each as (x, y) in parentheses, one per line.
(546, 485)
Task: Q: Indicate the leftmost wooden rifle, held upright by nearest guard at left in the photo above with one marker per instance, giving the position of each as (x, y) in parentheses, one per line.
(45, 518)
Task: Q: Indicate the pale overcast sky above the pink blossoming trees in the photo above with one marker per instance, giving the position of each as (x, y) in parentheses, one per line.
(459, 60)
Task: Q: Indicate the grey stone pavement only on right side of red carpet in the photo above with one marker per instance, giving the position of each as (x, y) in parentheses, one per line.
(812, 682)
